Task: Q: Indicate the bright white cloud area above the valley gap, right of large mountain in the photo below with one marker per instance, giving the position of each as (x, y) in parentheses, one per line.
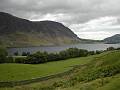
(98, 28)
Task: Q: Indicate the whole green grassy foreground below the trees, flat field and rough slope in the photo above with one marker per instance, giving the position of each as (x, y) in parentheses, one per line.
(101, 72)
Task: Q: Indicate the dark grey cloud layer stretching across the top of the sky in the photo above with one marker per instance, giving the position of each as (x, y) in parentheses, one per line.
(83, 8)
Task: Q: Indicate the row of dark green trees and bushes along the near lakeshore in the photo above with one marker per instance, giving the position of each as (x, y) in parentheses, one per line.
(43, 57)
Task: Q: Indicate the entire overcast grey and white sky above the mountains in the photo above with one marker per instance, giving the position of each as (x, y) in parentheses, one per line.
(88, 19)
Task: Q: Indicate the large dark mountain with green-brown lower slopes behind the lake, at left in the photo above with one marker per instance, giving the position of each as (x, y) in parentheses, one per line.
(16, 31)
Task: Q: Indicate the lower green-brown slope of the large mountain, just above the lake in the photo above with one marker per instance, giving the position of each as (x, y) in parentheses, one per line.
(22, 39)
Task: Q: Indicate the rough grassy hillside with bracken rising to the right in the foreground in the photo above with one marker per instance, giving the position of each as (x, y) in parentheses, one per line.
(100, 72)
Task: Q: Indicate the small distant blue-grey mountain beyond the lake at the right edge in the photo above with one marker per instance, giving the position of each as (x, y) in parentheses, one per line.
(113, 40)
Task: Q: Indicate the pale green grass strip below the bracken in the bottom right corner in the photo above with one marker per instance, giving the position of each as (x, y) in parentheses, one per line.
(110, 83)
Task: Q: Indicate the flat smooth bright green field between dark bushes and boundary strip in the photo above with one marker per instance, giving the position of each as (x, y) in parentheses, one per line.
(14, 72)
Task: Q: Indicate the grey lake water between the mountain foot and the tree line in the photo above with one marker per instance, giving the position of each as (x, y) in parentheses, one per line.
(90, 47)
